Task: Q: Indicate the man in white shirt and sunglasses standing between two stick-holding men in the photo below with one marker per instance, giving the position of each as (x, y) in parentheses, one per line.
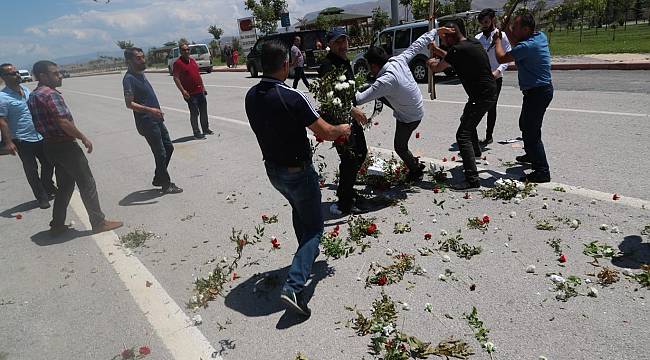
(487, 20)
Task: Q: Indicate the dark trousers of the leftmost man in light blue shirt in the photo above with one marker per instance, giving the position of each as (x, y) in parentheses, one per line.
(41, 185)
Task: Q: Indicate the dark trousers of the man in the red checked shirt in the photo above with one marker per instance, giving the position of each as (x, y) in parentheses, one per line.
(72, 168)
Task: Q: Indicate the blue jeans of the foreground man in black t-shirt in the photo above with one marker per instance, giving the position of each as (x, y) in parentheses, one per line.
(300, 187)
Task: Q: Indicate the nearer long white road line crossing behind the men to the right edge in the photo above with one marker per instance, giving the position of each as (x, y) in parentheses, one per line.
(576, 190)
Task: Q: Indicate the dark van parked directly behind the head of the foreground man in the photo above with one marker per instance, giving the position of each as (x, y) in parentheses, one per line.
(310, 39)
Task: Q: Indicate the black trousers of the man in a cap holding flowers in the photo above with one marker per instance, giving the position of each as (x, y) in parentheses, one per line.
(352, 156)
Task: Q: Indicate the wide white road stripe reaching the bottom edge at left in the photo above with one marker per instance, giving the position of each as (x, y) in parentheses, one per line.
(175, 329)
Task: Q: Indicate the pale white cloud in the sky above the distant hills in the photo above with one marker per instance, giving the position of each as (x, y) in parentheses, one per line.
(145, 22)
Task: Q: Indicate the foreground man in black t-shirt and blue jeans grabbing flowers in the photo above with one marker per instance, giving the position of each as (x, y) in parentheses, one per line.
(278, 116)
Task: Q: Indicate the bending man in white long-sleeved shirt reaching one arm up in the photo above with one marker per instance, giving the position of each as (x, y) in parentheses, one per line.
(395, 83)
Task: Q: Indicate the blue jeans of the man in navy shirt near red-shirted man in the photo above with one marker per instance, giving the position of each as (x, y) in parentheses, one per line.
(157, 136)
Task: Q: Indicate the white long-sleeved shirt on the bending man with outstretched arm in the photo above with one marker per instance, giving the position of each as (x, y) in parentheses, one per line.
(395, 82)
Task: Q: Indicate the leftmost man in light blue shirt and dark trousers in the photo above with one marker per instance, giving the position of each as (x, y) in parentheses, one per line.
(19, 135)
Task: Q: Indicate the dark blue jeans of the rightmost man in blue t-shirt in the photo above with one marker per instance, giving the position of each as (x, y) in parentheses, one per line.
(536, 100)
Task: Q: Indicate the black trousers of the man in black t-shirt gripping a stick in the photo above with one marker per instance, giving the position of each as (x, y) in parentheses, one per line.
(467, 137)
